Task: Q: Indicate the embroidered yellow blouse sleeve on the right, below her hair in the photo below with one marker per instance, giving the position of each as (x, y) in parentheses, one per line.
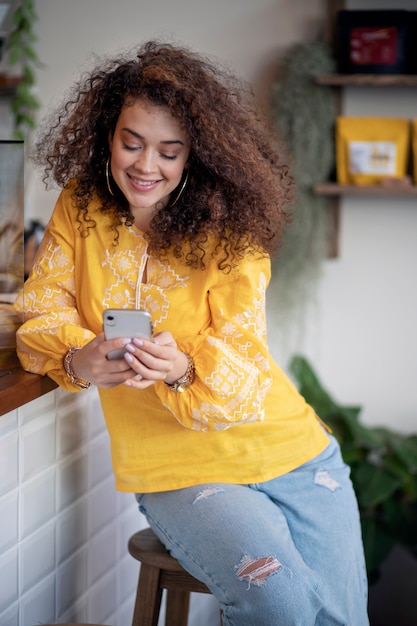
(232, 363)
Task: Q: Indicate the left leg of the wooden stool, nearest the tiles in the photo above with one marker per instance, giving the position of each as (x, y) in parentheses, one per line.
(148, 597)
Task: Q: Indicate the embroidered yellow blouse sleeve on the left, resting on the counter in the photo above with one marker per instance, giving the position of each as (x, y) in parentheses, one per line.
(48, 304)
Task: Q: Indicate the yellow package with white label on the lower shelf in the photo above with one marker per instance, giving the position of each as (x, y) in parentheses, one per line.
(371, 149)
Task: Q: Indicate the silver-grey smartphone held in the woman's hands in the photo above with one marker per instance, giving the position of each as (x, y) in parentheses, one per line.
(119, 323)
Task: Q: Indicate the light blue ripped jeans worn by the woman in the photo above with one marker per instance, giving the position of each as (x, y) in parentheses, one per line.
(286, 552)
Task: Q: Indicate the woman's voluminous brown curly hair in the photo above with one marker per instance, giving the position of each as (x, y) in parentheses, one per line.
(239, 190)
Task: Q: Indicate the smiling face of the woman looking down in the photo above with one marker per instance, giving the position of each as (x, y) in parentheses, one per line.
(149, 151)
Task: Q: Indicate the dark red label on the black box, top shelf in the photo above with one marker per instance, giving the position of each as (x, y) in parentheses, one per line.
(373, 46)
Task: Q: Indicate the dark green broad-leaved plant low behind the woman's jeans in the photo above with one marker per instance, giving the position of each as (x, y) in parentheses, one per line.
(383, 470)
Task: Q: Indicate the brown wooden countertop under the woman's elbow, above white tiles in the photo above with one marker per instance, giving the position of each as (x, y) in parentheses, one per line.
(18, 387)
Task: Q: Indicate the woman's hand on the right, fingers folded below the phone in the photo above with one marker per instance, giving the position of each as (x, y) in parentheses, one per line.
(155, 359)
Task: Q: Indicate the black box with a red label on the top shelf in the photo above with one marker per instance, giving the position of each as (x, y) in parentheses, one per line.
(377, 41)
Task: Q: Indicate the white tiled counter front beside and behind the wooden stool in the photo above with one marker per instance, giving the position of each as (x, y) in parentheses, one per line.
(63, 526)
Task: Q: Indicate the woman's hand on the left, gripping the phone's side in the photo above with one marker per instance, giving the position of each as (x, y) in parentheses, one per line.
(91, 364)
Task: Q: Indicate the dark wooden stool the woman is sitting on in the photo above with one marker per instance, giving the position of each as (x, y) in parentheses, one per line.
(158, 571)
